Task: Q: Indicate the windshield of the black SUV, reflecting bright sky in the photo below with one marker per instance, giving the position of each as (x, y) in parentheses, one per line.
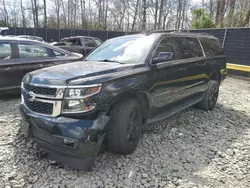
(129, 49)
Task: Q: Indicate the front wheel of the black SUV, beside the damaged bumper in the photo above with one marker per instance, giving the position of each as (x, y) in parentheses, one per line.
(125, 127)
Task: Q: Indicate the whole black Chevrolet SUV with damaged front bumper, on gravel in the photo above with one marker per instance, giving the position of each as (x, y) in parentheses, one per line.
(127, 82)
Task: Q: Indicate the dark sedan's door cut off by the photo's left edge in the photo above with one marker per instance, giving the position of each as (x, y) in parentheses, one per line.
(10, 69)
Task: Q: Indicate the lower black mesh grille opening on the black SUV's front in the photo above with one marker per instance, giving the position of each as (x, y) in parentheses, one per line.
(37, 106)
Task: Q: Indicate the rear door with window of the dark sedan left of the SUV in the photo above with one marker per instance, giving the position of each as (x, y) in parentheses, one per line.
(33, 56)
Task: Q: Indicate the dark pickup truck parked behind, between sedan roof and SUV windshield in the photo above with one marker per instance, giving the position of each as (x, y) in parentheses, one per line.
(79, 44)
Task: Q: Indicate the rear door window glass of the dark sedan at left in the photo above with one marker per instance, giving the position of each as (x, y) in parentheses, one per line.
(31, 51)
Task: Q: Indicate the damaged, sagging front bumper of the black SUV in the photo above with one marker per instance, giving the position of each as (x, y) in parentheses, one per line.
(73, 142)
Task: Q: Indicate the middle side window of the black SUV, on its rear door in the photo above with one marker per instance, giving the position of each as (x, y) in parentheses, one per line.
(191, 48)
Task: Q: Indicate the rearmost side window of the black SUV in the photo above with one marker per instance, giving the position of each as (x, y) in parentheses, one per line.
(211, 46)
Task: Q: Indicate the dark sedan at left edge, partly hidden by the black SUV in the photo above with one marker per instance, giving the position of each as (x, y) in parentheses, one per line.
(20, 56)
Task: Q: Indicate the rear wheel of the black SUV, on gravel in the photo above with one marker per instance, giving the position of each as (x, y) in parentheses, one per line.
(211, 96)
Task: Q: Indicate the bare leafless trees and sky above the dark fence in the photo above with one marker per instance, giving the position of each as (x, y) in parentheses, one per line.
(124, 15)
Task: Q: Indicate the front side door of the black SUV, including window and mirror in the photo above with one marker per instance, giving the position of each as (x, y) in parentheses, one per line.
(168, 76)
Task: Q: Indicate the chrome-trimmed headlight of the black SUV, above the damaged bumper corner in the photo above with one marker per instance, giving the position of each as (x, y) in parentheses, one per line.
(76, 100)
